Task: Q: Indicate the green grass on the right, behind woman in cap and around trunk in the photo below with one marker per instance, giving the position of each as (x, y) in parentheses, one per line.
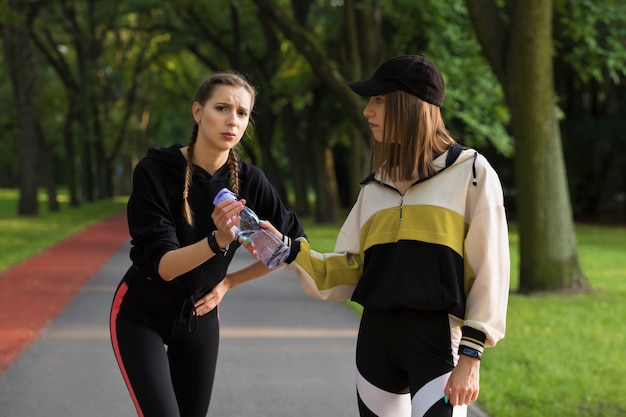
(562, 355)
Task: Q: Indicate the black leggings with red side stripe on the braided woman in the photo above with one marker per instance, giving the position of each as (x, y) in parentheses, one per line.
(166, 381)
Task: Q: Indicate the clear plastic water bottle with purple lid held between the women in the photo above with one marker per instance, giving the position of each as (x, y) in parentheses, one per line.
(271, 250)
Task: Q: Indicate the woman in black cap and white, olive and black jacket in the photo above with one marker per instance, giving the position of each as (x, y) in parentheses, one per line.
(424, 250)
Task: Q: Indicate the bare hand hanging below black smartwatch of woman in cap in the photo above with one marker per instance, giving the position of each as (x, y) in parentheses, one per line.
(463, 385)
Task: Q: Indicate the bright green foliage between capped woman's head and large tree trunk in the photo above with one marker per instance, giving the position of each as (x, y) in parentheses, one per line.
(474, 107)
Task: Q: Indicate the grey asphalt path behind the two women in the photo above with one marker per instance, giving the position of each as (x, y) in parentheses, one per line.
(282, 354)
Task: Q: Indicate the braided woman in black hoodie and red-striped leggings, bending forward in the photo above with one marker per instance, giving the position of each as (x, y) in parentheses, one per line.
(164, 317)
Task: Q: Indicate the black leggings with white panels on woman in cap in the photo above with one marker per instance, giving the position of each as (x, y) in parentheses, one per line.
(404, 358)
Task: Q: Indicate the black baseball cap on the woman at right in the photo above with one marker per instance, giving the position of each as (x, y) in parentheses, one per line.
(413, 74)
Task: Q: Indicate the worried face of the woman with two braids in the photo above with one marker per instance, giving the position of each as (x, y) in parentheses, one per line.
(223, 119)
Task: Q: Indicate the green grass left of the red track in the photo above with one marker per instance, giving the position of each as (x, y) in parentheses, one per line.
(22, 237)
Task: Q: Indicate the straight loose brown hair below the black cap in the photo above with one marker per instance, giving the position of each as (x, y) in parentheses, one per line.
(413, 136)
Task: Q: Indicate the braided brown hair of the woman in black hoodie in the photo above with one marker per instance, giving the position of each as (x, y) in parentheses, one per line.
(203, 94)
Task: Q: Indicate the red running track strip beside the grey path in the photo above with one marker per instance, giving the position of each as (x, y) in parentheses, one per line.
(36, 290)
